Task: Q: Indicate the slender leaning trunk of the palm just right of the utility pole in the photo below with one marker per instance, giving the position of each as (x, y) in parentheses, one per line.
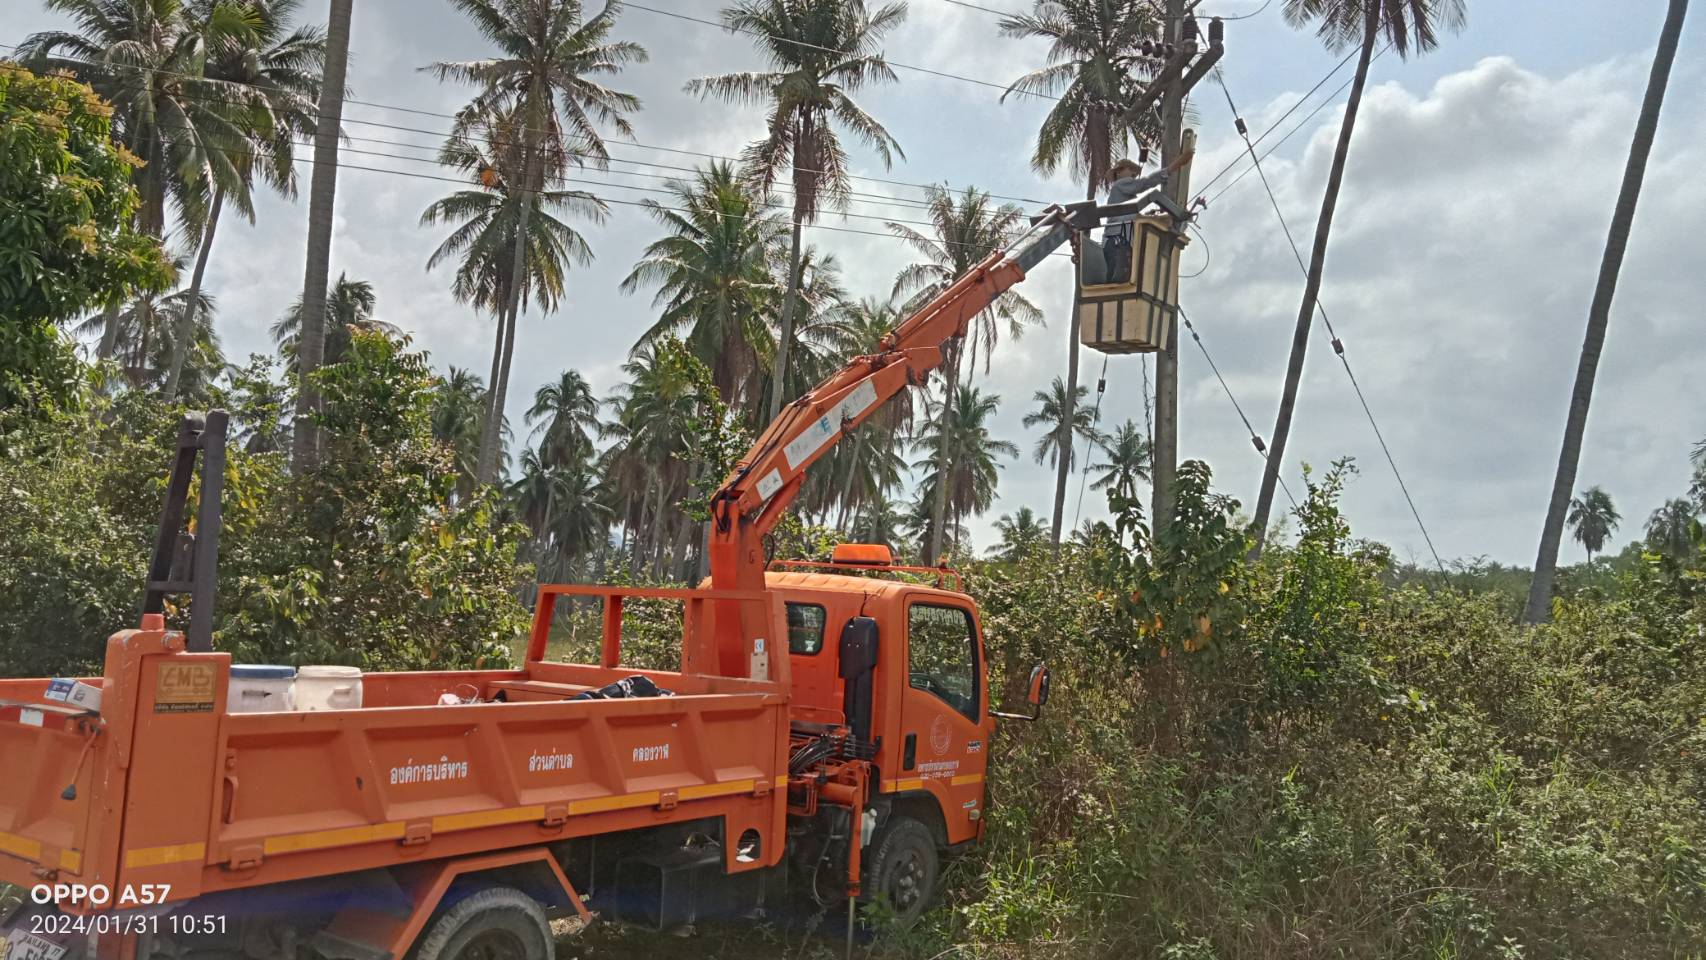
(1318, 262)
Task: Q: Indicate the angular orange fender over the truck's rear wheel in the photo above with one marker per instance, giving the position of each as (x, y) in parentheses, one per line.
(364, 934)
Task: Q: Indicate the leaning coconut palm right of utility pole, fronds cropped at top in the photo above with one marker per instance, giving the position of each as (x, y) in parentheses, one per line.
(1408, 26)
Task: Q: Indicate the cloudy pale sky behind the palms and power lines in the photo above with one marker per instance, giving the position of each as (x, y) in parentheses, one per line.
(1463, 260)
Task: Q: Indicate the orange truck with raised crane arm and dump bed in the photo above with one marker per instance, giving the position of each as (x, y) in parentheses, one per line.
(146, 814)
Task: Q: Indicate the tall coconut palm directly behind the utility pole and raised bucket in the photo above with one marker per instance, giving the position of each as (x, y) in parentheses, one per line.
(1096, 62)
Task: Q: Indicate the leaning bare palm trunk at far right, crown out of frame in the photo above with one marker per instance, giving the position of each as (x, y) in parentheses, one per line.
(1540, 606)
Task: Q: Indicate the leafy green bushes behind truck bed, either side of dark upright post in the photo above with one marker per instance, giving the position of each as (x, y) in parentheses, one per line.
(371, 560)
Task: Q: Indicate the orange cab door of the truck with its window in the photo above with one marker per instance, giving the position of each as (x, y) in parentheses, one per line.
(944, 719)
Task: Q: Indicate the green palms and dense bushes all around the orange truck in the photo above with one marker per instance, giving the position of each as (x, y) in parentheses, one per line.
(1321, 753)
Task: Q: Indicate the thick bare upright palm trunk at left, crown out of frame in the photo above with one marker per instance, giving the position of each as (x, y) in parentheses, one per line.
(311, 340)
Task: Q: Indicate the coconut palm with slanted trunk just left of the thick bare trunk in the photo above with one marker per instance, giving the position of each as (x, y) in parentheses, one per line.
(277, 72)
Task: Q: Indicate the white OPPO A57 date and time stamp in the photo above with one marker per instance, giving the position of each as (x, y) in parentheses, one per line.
(129, 911)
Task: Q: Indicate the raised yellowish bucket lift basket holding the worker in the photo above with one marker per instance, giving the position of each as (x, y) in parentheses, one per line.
(1137, 313)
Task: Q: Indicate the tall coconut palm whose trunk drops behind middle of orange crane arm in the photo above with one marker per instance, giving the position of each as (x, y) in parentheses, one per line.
(821, 54)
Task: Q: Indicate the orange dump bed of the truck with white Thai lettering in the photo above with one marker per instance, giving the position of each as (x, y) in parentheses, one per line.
(166, 790)
